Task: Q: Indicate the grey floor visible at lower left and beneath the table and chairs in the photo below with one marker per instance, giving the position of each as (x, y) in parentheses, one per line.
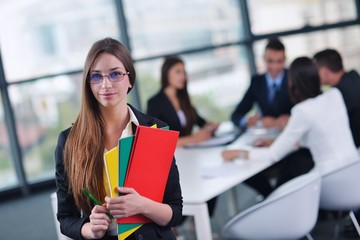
(31, 218)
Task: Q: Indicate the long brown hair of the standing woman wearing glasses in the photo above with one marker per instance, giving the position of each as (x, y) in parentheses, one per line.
(84, 148)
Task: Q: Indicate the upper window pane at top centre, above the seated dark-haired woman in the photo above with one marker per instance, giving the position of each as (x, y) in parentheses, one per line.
(158, 27)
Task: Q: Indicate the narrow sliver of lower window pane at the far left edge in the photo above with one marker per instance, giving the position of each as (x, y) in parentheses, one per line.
(8, 176)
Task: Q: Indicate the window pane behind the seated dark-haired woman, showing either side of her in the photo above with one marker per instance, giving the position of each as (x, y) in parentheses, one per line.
(217, 80)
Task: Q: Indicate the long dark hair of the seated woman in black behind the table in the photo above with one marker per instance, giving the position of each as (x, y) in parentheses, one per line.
(182, 94)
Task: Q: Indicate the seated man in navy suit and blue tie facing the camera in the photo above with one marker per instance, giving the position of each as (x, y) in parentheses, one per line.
(269, 91)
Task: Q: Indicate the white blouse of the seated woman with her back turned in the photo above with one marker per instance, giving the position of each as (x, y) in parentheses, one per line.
(320, 124)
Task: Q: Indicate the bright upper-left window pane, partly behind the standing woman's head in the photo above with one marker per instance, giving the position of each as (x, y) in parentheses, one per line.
(41, 37)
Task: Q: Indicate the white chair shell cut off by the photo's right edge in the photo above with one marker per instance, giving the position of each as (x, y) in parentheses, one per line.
(340, 189)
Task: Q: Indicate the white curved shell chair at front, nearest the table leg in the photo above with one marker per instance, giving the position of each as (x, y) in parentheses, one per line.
(290, 212)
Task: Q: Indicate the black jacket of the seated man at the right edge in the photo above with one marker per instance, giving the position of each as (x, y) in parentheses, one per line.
(349, 87)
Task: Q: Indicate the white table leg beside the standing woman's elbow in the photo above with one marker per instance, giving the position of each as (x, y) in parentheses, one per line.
(202, 219)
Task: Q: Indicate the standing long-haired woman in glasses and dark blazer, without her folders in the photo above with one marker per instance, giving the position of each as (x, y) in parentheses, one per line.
(105, 116)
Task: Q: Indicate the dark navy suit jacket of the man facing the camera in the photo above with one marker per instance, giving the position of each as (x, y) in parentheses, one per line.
(258, 93)
